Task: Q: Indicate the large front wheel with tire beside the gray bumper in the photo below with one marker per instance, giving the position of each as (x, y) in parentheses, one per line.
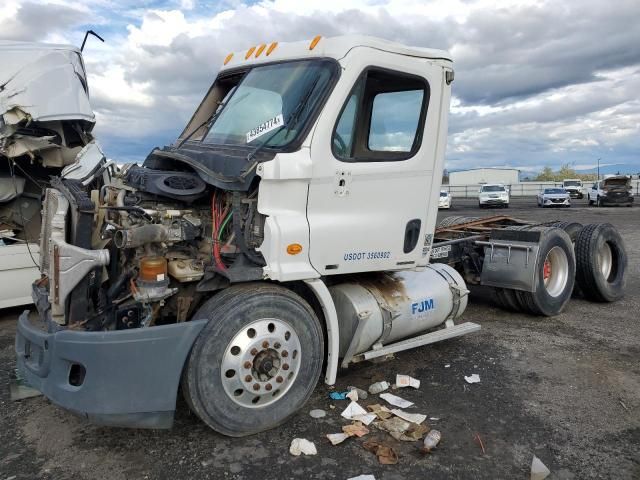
(257, 360)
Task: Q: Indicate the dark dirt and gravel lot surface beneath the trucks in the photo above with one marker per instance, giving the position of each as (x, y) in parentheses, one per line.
(566, 389)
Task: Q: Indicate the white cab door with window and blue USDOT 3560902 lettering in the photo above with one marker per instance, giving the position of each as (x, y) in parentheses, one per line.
(377, 156)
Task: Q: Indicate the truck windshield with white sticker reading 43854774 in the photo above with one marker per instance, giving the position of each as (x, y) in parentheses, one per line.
(271, 104)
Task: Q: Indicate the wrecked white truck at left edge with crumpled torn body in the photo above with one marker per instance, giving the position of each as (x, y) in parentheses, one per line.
(45, 121)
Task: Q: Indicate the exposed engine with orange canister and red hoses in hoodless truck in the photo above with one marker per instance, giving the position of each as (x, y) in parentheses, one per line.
(171, 239)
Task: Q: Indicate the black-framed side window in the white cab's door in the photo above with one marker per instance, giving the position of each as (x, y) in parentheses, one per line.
(383, 118)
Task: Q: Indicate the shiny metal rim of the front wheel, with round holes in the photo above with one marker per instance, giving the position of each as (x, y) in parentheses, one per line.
(260, 363)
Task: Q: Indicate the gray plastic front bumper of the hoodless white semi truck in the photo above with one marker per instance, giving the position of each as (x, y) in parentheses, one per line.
(130, 377)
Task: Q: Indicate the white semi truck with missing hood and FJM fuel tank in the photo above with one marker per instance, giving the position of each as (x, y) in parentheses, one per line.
(291, 228)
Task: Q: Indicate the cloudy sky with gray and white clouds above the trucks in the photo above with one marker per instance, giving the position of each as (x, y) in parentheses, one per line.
(537, 82)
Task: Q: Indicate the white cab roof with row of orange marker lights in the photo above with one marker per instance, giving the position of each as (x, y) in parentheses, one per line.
(331, 47)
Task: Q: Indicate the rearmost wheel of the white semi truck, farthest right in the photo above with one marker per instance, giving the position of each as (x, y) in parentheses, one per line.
(601, 262)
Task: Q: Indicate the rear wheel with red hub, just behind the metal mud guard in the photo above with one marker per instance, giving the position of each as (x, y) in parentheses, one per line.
(554, 276)
